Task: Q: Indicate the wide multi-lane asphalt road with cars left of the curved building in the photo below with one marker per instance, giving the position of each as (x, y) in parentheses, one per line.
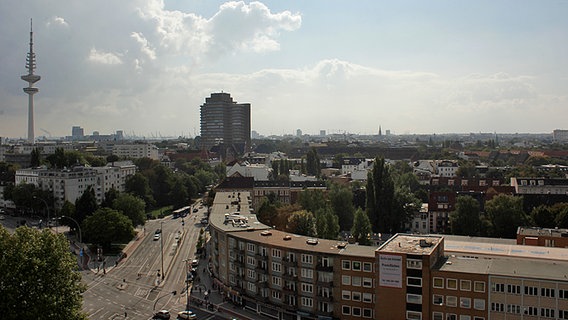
(134, 287)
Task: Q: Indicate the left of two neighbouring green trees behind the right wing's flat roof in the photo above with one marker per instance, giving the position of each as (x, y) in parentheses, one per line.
(465, 220)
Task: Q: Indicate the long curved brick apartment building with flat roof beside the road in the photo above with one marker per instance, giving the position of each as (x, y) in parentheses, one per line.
(420, 277)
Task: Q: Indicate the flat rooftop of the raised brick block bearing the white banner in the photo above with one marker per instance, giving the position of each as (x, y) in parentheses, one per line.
(411, 244)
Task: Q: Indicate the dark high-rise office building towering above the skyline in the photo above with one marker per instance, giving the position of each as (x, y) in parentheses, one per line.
(225, 123)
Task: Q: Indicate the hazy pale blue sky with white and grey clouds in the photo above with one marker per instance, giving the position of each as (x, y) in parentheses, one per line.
(412, 66)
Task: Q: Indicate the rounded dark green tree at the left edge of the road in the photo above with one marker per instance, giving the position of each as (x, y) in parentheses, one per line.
(106, 226)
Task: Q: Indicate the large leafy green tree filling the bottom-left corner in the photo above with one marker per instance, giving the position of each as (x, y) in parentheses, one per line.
(38, 276)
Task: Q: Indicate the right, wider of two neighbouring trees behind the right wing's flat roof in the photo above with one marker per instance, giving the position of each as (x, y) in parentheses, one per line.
(506, 214)
